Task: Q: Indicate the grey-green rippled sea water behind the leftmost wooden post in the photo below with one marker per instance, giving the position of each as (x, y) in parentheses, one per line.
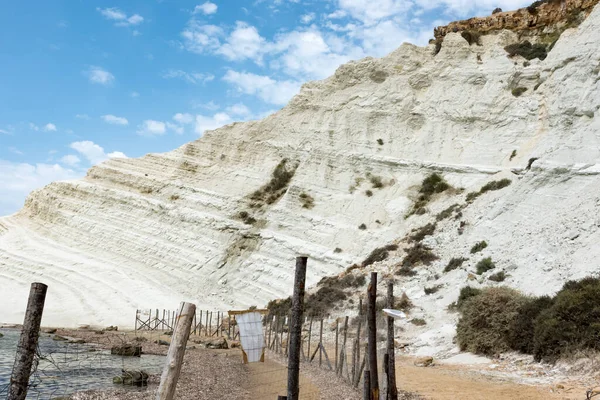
(62, 368)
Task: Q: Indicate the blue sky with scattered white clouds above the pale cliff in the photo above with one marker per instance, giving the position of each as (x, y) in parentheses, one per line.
(82, 81)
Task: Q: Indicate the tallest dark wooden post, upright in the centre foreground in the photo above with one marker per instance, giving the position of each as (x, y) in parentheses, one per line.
(295, 328)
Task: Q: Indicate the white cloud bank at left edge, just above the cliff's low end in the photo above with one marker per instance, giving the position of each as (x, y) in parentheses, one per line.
(17, 180)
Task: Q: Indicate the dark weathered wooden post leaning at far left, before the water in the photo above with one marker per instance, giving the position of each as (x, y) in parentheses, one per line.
(19, 380)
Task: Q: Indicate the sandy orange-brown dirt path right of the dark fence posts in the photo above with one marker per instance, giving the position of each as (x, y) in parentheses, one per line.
(453, 382)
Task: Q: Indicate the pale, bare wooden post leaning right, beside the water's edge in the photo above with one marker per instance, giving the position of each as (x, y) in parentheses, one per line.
(170, 375)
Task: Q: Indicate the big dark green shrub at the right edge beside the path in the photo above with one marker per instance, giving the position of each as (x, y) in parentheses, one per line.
(571, 323)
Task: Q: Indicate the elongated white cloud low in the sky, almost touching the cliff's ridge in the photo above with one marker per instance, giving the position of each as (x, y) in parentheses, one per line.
(266, 88)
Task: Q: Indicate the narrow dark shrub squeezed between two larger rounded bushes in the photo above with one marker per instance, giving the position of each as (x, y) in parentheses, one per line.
(521, 333)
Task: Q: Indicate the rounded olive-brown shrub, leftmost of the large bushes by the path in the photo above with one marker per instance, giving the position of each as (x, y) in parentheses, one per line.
(486, 320)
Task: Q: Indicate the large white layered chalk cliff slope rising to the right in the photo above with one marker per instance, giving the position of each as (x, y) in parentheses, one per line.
(151, 232)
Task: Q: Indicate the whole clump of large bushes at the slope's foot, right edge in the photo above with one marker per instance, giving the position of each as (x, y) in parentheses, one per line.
(500, 319)
